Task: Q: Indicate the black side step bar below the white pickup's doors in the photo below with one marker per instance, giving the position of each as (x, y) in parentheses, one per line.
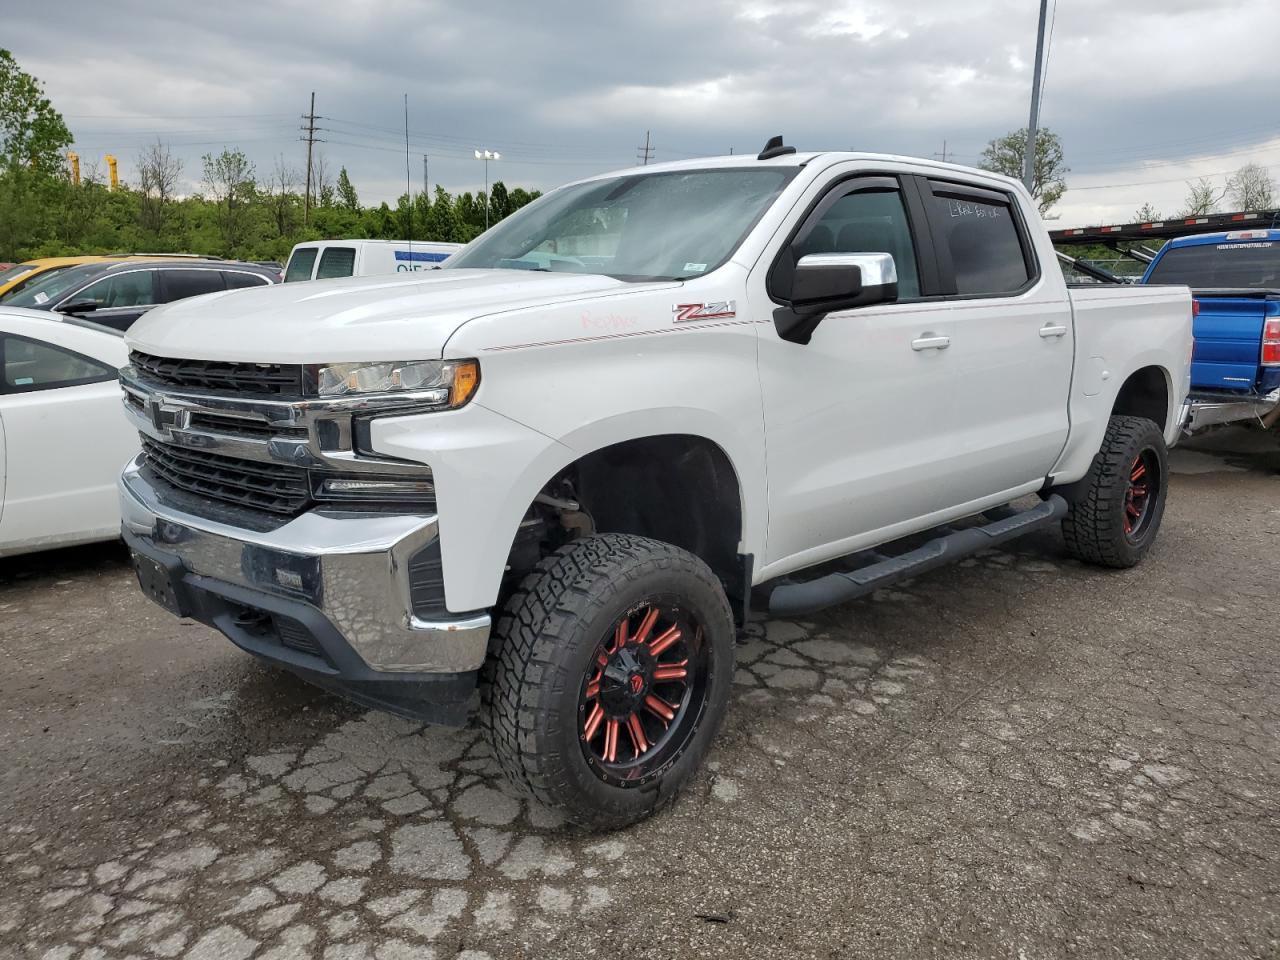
(796, 600)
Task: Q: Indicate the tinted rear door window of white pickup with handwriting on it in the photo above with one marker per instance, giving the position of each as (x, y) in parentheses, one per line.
(981, 236)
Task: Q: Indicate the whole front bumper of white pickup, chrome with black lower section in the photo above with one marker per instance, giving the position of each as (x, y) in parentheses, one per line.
(340, 578)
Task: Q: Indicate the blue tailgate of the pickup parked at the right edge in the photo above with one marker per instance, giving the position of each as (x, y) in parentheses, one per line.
(1229, 339)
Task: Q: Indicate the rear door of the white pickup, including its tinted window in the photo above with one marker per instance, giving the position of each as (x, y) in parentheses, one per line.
(1013, 342)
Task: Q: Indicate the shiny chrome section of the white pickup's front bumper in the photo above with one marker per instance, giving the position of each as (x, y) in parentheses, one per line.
(351, 568)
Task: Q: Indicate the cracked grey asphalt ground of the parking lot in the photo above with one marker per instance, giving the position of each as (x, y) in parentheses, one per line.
(1014, 758)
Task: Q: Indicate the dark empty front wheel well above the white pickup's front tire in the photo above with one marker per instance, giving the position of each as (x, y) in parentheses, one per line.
(680, 490)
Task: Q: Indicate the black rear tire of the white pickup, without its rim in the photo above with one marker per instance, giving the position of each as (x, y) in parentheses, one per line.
(1095, 527)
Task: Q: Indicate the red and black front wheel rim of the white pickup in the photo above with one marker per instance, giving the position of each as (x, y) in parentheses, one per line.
(643, 694)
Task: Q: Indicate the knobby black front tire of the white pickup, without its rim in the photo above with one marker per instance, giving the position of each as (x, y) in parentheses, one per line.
(547, 641)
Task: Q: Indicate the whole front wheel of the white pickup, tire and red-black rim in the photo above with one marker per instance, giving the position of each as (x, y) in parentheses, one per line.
(609, 678)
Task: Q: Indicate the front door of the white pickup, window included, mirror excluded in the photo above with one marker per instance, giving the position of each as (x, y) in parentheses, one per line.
(858, 418)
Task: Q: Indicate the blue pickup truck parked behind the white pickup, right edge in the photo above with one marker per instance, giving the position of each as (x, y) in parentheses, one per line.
(1236, 281)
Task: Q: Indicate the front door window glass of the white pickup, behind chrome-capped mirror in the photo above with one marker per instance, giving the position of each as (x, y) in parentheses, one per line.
(868, 222)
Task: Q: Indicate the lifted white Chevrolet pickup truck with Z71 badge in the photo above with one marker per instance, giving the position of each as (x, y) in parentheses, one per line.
(637, 413)
